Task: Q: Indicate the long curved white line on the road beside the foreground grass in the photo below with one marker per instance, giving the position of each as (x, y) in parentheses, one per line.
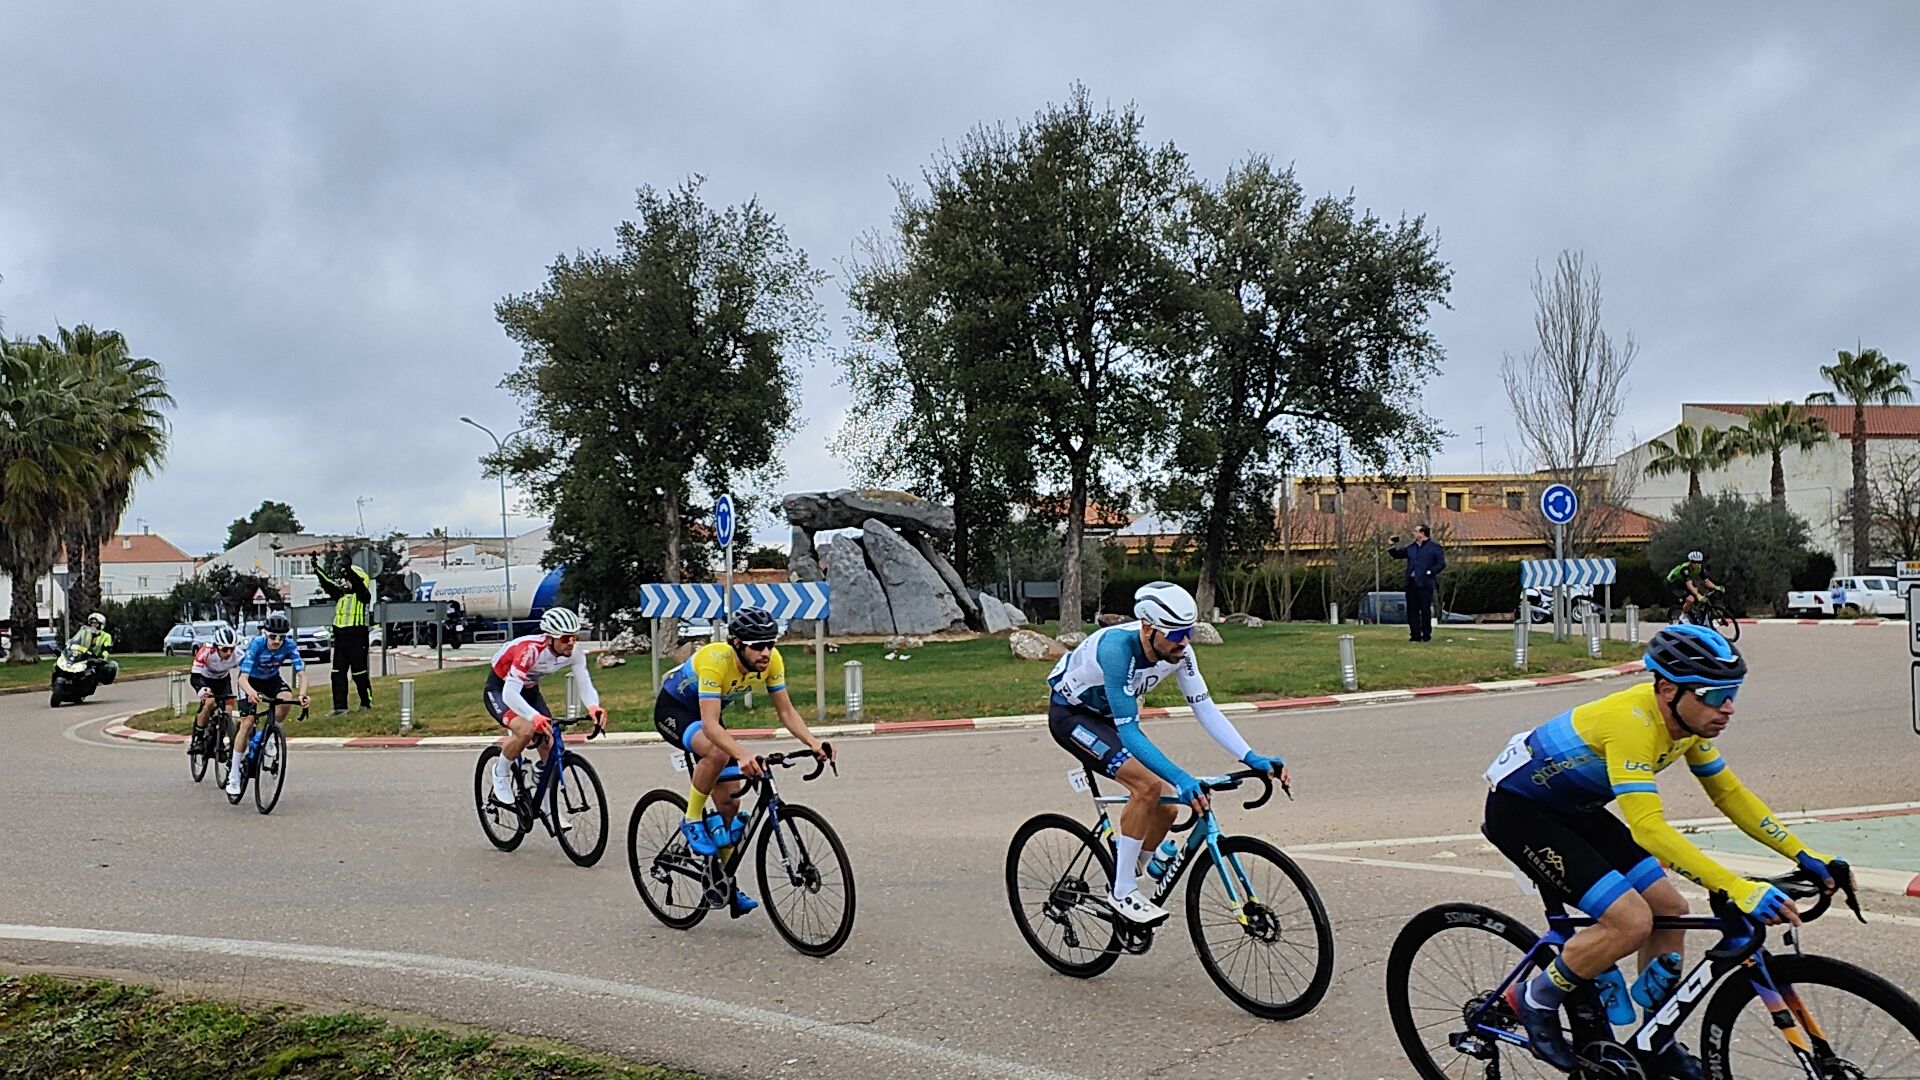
(454, 968)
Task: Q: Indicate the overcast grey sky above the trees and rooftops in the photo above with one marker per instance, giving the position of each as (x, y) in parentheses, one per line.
(297, 207)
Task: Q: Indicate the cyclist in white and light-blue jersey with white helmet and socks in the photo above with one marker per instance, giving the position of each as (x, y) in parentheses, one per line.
(1095, 716)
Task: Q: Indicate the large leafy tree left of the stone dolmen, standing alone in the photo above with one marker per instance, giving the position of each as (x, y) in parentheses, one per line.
(652, 374)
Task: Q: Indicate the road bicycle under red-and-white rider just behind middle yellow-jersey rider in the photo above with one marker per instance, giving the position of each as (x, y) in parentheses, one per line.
(562, 793)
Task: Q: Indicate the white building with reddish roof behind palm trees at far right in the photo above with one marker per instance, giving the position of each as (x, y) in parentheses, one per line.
(1819, 481)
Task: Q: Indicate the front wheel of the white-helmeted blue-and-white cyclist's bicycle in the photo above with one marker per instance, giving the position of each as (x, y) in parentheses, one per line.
(1272, 952)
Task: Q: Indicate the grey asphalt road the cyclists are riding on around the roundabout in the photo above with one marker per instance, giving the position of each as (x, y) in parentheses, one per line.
(372, 883)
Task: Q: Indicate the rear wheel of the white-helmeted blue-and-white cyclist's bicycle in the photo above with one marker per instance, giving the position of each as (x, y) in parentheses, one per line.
(1055, 877)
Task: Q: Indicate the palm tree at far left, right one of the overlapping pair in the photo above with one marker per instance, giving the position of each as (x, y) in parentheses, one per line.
(130, 395)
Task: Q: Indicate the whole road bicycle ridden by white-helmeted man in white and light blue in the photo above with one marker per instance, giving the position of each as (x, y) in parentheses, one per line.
(1255, 918)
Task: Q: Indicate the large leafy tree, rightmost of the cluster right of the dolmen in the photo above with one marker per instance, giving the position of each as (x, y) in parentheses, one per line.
(1308, 339)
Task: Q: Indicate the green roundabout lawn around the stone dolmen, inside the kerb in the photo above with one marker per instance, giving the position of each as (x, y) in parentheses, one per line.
(984, 679)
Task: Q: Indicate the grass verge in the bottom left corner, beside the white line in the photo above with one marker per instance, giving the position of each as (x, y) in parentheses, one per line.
(55, 1027)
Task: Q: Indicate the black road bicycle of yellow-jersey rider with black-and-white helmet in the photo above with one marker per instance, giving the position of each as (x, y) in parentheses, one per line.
(802, 864)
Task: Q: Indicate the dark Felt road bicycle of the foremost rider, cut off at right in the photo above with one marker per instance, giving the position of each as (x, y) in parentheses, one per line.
(1775, 1016)
